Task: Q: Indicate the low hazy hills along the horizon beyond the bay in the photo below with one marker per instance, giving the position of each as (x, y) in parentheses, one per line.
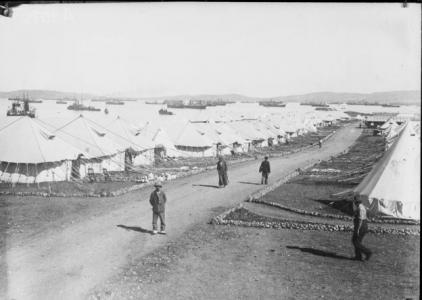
(391, 97)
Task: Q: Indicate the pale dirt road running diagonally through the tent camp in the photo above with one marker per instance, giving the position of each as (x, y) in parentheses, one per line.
(69, 262)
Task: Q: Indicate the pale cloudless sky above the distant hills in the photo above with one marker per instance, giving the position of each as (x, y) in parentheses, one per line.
(255, 49)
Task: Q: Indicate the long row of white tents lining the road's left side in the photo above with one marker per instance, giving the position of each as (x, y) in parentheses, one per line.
(39, 150)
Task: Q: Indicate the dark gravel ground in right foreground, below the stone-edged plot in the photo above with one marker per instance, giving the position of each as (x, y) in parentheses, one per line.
(224, 262)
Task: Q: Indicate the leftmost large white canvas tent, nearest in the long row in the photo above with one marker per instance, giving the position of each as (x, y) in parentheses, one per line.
(31, 153)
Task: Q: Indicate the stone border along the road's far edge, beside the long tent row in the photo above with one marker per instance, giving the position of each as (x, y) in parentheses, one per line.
(140, 186)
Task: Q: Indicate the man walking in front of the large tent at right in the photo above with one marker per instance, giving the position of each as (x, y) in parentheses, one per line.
(360, 228)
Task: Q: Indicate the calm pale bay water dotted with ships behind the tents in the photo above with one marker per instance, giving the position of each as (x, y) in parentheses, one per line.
(139, 112)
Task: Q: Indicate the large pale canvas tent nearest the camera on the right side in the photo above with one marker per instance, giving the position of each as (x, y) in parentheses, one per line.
(393, 186)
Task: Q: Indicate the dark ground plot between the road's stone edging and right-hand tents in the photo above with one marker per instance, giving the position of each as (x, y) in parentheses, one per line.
(312, 189)
